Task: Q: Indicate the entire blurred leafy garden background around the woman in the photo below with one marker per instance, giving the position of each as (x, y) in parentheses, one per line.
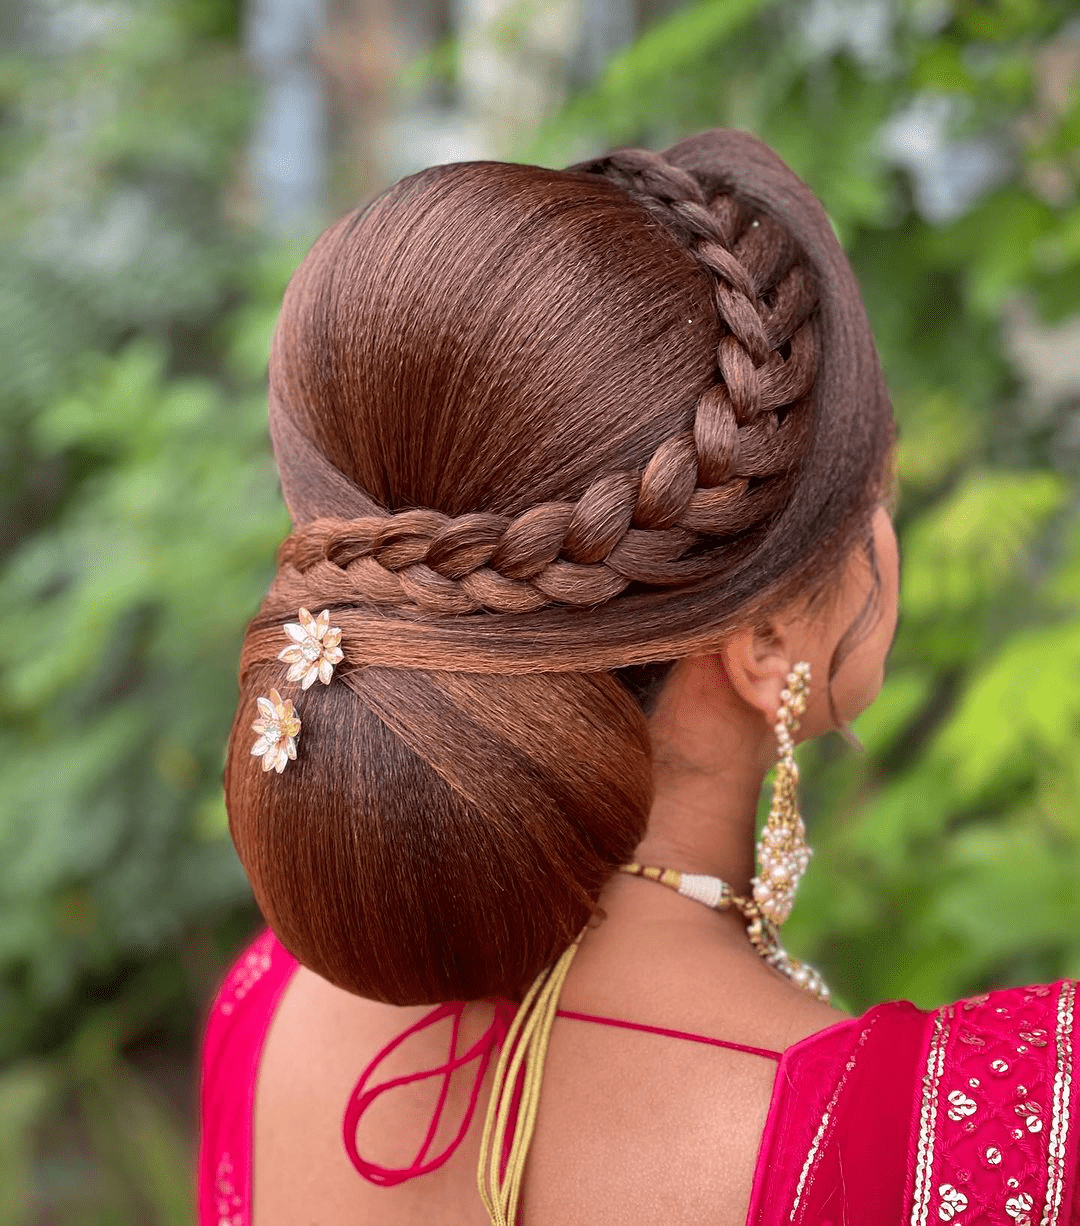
(165, 166)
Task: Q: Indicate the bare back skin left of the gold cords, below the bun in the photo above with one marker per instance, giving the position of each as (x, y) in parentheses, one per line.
(319, 1044)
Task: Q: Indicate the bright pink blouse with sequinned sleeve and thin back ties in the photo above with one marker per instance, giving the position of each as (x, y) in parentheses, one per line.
(963, 1115)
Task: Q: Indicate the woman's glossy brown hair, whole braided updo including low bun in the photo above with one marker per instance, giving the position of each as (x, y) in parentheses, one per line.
(534, 427)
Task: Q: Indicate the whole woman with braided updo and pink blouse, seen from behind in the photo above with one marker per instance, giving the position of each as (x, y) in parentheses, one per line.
(587, 470)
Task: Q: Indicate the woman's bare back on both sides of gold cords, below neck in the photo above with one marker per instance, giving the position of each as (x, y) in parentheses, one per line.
(632, 1126)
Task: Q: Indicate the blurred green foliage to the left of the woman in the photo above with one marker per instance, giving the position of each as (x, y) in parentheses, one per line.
(139, 517)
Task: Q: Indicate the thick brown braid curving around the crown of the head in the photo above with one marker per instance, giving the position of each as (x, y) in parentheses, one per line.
(701, 489)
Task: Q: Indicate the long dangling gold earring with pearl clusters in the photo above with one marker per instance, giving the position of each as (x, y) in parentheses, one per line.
(783, 853)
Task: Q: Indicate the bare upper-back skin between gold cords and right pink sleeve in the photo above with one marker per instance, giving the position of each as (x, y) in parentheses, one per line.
(653, 1129)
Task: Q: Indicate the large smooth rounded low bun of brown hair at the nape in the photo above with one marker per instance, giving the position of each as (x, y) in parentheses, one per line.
(441, 837)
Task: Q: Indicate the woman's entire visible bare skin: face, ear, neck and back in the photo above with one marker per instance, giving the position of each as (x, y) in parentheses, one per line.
(612, 1102)
